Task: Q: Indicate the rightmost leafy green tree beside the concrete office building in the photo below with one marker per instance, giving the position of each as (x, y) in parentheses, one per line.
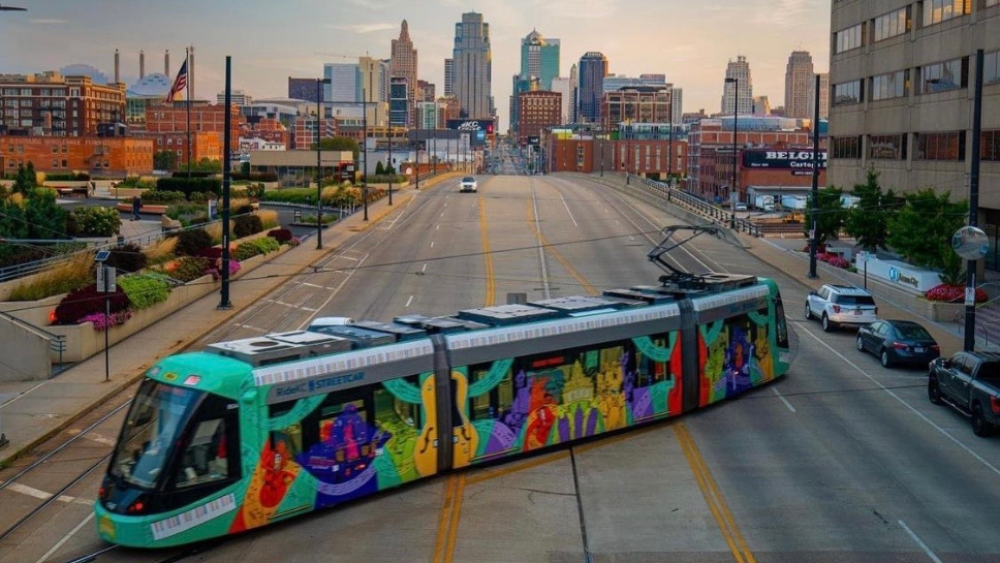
(921, 231)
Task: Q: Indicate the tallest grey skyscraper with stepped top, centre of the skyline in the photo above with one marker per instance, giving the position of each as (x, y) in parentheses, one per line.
(473, 67)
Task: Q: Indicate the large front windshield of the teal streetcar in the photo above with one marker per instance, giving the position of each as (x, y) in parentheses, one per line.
(155, 420)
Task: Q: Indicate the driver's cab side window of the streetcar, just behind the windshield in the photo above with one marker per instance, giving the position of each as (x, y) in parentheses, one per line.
(210, 446)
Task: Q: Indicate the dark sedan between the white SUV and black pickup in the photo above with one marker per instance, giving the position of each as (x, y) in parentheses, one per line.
(898, 342)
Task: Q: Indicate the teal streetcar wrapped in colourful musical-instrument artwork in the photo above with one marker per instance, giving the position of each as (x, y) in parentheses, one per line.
(250, 432)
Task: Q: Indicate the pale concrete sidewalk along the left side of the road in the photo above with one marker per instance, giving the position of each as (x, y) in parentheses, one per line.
(32, 412)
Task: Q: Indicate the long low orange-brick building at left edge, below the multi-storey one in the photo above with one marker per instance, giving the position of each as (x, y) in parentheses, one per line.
(100, 156)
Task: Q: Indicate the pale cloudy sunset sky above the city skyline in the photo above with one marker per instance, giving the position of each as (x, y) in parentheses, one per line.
(688, 41)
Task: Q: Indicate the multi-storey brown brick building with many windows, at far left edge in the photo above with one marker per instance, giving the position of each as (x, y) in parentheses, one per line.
(51, 104)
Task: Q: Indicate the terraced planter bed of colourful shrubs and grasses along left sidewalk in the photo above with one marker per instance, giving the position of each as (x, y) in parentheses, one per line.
(153, 282)
